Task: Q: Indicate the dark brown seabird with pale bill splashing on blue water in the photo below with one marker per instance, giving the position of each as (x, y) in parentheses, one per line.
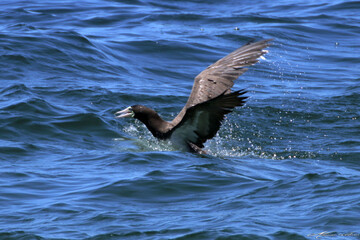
(210, 99)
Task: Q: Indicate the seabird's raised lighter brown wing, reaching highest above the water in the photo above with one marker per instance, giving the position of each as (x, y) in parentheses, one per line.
(220, 76)
